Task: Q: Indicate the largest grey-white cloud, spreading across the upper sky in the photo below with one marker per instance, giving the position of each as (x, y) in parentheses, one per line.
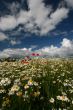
(38, 19)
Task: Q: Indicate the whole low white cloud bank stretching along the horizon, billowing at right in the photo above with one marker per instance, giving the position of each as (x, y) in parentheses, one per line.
(65, 50)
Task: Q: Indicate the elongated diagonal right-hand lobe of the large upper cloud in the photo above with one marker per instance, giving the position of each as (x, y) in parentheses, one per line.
(55, 18)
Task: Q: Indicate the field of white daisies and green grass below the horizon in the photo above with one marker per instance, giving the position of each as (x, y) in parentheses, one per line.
(42, 84)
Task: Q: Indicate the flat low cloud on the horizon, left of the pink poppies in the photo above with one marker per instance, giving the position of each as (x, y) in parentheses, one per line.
(15, 52)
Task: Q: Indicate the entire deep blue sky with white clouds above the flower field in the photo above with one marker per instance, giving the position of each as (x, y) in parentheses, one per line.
(40, 26)
